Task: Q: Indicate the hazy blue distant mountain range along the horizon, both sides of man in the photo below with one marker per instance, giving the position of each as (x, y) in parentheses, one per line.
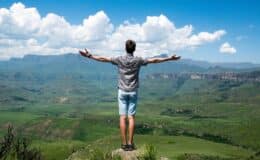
(74, 63)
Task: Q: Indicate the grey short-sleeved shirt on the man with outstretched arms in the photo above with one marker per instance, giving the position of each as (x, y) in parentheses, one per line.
(128, 71)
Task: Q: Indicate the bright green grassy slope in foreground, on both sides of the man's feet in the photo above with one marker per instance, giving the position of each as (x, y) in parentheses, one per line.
(174, 146)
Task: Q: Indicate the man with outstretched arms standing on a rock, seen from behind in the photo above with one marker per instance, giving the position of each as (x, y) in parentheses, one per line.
(128, 70)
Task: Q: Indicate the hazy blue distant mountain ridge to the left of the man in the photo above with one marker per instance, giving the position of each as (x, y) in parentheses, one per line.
(53, 63)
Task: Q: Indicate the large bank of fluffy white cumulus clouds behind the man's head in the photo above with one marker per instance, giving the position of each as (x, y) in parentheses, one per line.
(24, 31)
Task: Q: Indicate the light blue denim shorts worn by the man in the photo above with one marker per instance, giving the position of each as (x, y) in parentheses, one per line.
(127, 102)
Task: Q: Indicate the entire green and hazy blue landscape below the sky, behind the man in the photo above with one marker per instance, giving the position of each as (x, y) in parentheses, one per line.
(65, 103)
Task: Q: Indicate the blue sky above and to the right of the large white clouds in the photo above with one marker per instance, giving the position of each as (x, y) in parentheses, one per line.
(238, 18)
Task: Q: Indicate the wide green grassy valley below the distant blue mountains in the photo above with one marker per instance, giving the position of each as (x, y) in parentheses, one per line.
(205, 117)
